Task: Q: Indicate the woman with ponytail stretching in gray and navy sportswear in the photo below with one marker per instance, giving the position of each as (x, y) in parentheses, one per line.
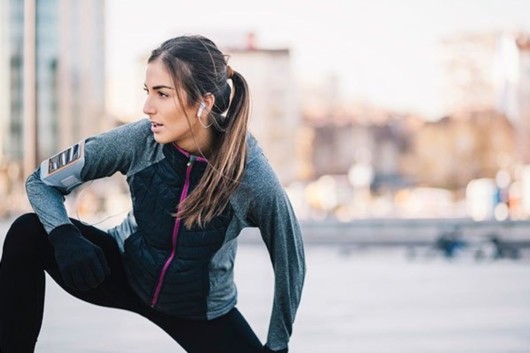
(196, 179)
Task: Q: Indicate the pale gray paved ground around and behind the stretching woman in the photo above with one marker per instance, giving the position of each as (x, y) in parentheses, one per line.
(370, 301)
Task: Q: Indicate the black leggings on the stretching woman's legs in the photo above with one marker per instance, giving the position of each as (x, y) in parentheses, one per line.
(27, 253)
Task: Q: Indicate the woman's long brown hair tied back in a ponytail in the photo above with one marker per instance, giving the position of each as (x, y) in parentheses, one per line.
(198, 68)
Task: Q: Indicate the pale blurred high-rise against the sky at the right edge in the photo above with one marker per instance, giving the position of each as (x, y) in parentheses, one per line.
(490, 71)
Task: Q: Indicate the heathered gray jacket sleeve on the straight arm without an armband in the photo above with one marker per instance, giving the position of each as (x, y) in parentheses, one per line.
(272, 213)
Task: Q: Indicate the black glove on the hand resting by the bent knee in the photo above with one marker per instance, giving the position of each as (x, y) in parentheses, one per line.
(81, 263)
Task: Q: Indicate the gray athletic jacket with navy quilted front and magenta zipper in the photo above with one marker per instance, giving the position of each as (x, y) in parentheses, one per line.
(180, 271)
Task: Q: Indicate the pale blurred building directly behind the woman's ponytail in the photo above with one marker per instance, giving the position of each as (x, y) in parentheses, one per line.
(275, 117)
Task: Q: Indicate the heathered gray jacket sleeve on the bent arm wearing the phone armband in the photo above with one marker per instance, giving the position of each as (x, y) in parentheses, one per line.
(104, 155)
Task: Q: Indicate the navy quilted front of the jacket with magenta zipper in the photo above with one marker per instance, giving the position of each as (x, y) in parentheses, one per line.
(167, 263)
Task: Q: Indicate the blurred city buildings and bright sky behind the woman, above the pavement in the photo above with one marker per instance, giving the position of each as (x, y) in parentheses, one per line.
(403, 115)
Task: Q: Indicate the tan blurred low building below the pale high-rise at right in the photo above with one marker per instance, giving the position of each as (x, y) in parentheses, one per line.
(452, 151)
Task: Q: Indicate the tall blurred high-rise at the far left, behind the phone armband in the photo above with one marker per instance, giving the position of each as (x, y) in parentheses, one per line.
(53, 95)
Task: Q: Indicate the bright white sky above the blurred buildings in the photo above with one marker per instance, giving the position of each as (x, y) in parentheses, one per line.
(381, 50)
